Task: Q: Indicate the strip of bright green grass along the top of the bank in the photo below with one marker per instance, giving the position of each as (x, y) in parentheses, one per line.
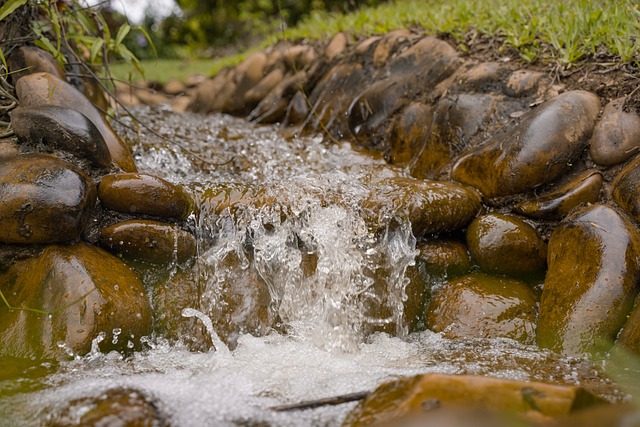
(562, 31)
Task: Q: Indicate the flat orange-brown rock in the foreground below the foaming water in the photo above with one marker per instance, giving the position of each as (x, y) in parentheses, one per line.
(414, 395)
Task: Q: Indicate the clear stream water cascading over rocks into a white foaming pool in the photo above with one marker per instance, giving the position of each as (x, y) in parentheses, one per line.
(290, 285)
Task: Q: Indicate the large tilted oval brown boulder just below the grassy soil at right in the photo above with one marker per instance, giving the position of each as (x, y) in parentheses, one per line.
(535, 150)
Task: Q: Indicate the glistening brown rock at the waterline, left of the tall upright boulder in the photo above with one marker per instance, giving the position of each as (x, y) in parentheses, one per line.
(483, 306)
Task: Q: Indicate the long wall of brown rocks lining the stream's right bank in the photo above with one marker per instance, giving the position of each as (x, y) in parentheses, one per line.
(536, 182)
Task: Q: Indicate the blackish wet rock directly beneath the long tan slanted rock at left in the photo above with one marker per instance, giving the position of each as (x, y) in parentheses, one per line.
(61, 128)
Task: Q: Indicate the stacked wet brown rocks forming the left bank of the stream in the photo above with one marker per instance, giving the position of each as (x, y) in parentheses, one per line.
(73, 204)
